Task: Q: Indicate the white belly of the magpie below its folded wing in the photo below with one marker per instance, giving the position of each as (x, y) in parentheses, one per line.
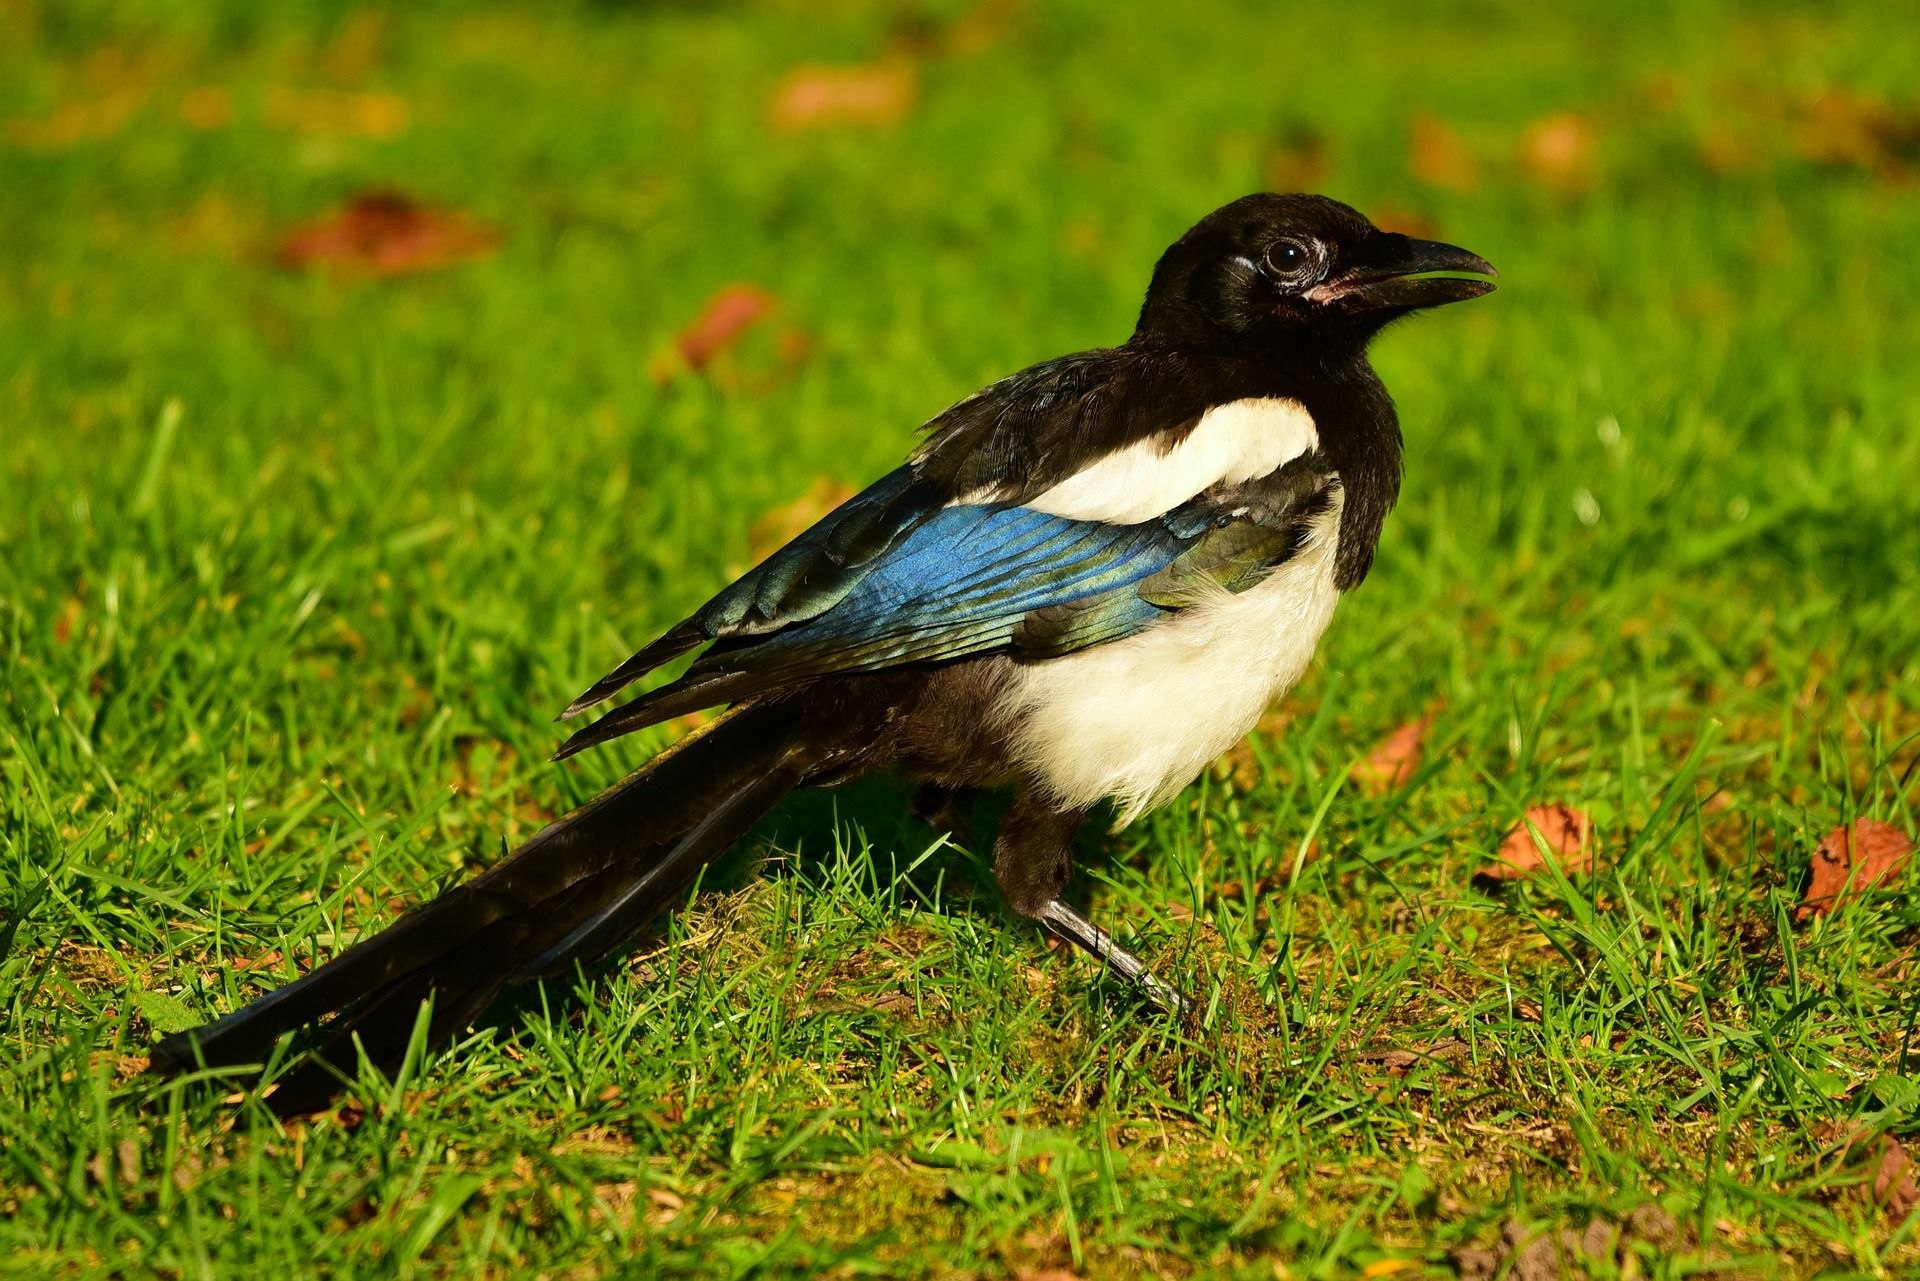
(1140, 719)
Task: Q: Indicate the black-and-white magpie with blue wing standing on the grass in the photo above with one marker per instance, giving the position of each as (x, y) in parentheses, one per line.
(1086, 583)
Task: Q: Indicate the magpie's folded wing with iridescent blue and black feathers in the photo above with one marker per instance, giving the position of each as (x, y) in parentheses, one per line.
(888, 583)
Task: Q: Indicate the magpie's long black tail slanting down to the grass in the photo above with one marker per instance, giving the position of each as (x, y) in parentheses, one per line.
(573, 894)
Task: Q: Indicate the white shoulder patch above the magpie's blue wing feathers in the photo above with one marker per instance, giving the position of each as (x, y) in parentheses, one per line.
(1232, 443)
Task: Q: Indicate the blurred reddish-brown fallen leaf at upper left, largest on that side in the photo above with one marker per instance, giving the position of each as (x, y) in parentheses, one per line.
(387, 235)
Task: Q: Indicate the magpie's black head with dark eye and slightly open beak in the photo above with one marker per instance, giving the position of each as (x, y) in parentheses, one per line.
(1272, 272)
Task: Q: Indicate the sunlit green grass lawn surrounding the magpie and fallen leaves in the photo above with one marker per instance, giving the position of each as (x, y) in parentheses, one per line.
(295, 571)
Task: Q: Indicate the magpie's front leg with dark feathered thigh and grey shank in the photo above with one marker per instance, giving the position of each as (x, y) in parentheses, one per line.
(1032, 861)
